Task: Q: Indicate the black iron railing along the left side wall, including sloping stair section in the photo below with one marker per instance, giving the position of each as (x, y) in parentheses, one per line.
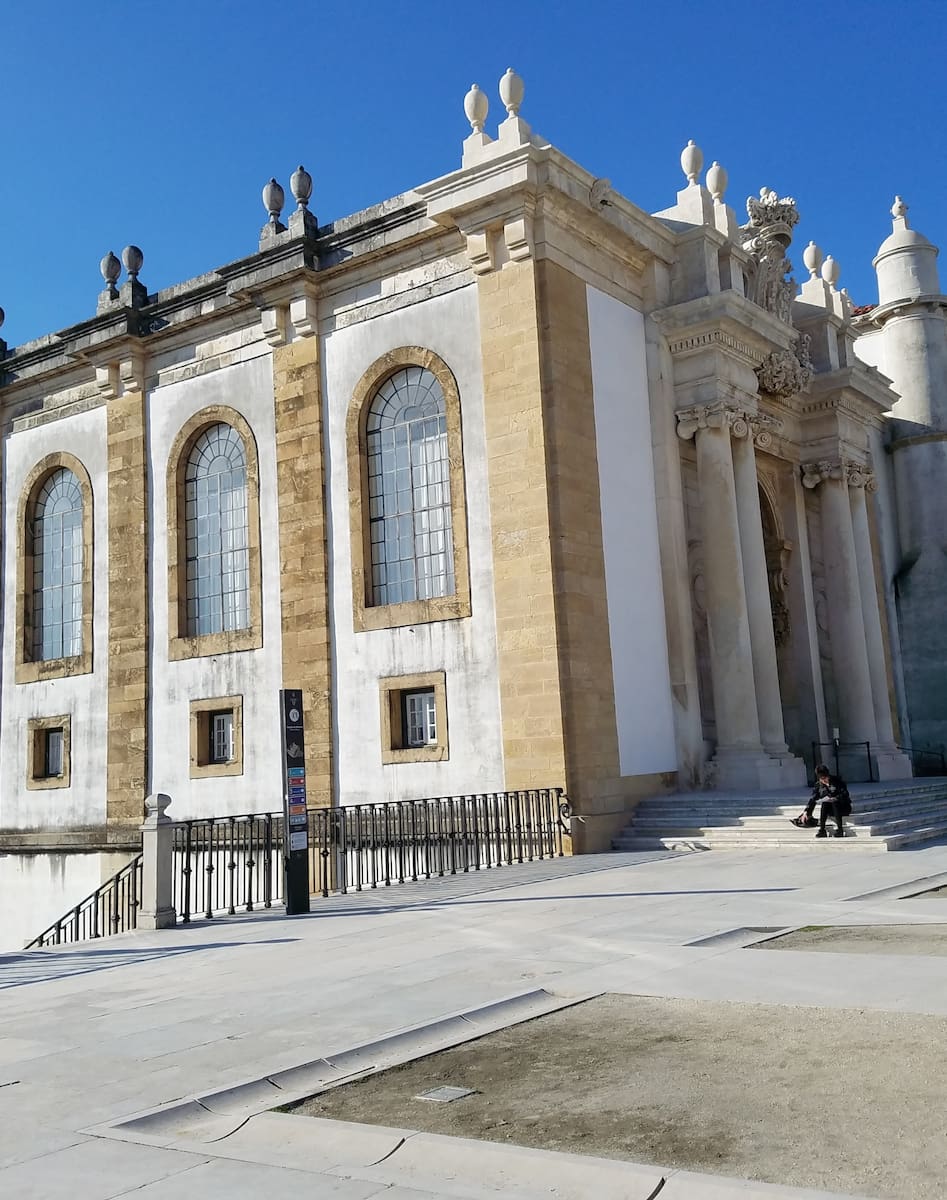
(229, 865)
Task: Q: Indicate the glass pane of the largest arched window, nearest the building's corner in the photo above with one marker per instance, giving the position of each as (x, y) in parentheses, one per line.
(412, 551)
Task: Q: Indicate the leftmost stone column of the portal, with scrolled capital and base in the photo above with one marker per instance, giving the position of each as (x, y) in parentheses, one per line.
(740, 757)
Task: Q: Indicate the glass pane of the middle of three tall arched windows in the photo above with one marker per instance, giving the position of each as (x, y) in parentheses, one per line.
(217, 543)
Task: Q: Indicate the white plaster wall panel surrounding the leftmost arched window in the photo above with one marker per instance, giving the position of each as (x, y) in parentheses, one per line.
(85, 698)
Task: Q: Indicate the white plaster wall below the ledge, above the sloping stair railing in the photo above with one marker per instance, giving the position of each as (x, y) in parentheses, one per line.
(38, 890)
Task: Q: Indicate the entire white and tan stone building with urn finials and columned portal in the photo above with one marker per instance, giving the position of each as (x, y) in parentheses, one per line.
(523, 487)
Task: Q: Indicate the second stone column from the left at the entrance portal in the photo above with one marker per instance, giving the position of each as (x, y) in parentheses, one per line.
(759, 610)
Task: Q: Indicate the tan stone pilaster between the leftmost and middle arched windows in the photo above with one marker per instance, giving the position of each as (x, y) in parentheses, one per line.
(128, 604)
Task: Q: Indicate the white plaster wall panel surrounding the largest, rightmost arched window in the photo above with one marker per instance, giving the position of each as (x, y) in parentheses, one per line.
(465, 650)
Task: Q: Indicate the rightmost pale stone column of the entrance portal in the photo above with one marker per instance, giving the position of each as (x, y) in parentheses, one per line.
(889, 761)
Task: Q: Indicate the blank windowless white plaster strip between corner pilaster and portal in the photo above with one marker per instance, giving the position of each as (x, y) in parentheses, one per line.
(630, 519)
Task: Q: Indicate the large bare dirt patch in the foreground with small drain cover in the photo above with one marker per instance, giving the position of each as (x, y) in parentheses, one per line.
(844, 1101)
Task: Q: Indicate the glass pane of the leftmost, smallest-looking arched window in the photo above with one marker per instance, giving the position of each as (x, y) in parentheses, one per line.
(57, 569)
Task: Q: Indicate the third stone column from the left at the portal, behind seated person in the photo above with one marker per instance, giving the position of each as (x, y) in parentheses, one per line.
(847, 627)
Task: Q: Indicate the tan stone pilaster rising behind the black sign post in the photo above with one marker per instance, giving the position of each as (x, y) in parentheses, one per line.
(304, 578)
